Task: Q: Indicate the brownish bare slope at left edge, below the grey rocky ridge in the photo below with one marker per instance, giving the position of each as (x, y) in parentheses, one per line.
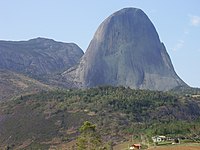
(14, 84)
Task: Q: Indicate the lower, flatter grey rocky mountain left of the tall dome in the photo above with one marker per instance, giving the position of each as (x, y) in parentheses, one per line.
(38, 56)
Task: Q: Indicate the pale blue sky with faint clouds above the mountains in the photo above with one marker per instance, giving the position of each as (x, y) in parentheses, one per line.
(177, 23)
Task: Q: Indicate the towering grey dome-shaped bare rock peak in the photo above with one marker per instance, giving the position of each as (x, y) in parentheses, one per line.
(126, 51)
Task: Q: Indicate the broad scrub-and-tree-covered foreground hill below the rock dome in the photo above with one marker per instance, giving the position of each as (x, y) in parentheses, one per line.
(52, 117)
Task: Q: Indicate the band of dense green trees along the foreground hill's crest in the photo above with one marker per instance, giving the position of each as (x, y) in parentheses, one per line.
(120, 99)
